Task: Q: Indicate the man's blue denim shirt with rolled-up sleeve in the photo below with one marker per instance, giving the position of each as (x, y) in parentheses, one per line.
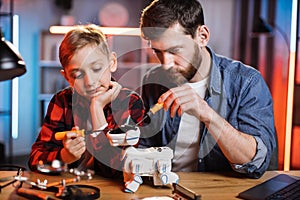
(236, 92)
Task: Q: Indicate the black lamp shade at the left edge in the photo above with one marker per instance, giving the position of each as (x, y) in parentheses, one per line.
(11, 62)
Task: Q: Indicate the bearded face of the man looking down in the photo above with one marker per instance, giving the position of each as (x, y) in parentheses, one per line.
(178, 53)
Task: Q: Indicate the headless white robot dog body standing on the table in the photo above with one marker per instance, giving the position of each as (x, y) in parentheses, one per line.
(154, 161)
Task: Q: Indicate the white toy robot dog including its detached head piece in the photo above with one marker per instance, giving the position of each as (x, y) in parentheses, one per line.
(154, 162)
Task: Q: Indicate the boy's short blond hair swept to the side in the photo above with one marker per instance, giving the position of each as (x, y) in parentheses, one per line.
(80, 37)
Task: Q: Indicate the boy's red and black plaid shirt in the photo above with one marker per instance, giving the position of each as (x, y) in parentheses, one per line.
(68, 109)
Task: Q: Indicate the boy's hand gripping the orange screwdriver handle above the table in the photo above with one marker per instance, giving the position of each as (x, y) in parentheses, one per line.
(74, 147)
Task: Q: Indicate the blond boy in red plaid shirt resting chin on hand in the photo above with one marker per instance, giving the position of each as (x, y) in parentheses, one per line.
(92, 102)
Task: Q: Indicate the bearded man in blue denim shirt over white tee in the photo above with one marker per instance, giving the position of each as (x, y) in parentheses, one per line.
(218, 113)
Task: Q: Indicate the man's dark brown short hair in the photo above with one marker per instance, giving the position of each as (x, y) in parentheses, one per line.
(162, 14)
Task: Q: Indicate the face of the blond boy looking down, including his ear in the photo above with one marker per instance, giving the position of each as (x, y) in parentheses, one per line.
(89, 71)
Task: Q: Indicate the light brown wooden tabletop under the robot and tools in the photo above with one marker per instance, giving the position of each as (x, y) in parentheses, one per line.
(209, 185)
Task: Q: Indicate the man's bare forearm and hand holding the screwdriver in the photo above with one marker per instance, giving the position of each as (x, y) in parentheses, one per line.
(238, 147)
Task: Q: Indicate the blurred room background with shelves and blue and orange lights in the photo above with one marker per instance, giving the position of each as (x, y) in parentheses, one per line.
(257, 32)
